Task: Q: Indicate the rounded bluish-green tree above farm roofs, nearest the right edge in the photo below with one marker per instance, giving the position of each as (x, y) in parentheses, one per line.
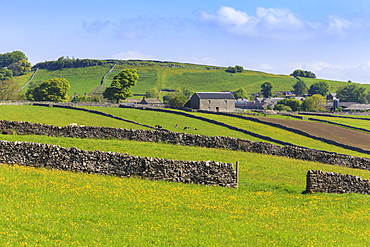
(352, 93)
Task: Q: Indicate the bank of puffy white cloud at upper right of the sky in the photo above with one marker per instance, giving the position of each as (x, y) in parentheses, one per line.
(282, 23)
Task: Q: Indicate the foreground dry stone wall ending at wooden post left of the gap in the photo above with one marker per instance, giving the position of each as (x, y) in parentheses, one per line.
(117, 164)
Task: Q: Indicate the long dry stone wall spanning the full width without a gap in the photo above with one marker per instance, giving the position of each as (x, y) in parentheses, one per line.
(26, 128)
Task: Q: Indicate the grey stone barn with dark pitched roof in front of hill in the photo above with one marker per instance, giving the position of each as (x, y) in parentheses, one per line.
(212, 101)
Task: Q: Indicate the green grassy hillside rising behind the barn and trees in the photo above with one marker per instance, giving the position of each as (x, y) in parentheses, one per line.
(174, 75)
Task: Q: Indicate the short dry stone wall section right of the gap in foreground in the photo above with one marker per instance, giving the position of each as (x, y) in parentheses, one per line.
(330, 182)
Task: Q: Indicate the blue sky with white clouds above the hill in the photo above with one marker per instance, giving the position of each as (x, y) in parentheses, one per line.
(330, 38)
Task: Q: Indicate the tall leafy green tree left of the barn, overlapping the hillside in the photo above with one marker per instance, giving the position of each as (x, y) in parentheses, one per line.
(120, 87)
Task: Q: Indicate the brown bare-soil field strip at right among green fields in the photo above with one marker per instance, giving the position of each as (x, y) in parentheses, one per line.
(331, 132)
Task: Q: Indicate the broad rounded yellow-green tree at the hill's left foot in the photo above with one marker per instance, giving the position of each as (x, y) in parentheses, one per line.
(51, 90)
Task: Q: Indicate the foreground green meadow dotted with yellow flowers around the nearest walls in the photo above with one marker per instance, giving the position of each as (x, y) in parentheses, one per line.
(54, 208)
